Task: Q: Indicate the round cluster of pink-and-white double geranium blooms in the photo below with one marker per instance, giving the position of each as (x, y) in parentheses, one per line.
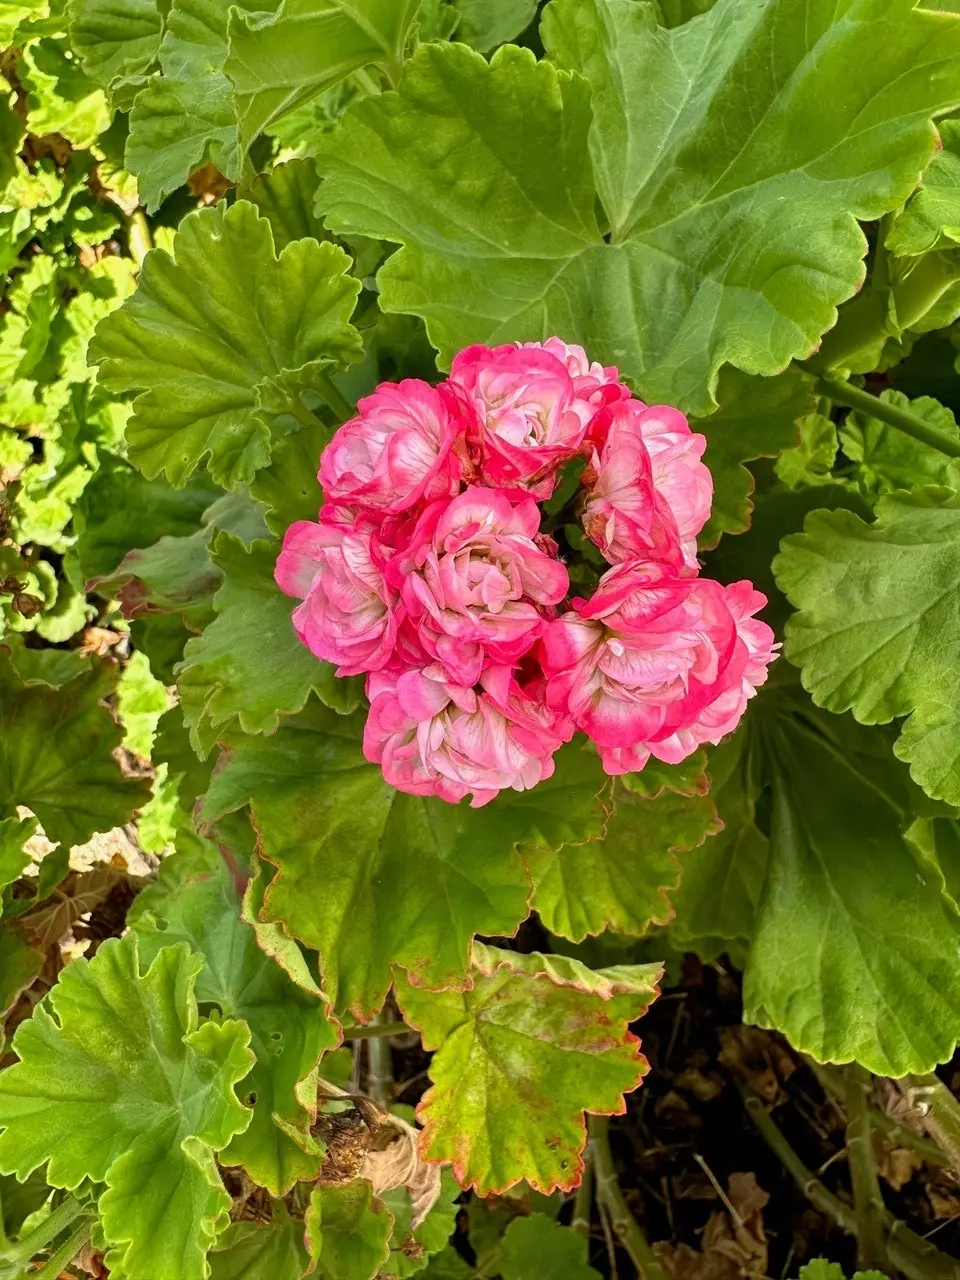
(428, 570)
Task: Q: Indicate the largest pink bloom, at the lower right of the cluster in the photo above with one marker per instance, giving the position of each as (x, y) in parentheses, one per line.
(657, 665)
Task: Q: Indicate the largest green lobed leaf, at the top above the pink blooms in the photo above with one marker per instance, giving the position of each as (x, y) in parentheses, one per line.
(730, 240)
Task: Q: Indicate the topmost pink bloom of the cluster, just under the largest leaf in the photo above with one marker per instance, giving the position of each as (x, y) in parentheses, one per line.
(531, 418)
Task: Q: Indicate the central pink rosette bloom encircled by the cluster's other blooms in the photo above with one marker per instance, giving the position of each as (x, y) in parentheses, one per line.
(477, 583)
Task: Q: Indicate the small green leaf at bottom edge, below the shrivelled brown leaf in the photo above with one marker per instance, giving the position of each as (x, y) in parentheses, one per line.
(354, 1231)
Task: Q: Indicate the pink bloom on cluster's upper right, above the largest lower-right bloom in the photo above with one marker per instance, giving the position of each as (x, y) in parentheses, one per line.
(648, 492)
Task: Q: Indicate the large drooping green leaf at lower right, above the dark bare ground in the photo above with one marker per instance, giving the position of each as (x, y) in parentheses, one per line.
(854, 953)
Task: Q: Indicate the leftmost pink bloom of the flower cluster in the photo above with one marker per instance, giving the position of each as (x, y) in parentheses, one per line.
(349, 614)
